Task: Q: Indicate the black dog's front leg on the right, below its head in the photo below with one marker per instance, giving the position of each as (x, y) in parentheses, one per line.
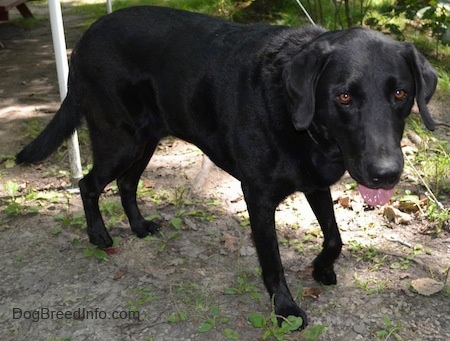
(322, 206)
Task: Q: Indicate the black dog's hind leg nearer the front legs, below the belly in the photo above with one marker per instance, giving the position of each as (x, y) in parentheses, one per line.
(128, 183)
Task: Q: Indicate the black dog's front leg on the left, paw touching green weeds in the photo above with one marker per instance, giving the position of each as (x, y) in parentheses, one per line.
(261, 208)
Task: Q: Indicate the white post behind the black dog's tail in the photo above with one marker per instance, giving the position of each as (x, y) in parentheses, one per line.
(62, 69)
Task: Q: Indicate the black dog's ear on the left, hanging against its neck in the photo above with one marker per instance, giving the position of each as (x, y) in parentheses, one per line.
(300, 80)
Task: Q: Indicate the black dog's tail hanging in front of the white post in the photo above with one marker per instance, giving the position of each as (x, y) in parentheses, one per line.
(61, 127)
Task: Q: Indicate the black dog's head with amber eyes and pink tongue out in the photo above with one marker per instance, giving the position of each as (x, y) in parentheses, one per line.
(356, 87)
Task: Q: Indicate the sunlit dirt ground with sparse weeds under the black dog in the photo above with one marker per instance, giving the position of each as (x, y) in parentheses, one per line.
(203, 267)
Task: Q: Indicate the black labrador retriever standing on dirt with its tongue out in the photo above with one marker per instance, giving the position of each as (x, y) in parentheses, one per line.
(280, 109)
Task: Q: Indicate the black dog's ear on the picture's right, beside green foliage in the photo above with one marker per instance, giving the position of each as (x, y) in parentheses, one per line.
(425, 78)
